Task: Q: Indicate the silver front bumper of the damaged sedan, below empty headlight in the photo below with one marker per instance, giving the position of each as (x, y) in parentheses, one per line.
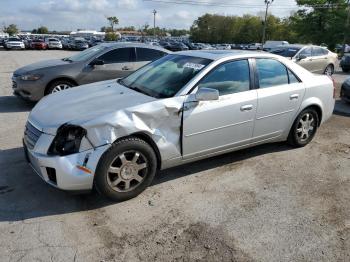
(62, 172)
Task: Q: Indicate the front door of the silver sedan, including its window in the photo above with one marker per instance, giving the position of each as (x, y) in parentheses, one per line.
(212, 126)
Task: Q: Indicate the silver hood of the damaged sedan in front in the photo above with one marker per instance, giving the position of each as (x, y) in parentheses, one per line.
(84, 103)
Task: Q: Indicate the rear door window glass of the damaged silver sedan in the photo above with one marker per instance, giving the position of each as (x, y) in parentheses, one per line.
(271, 73)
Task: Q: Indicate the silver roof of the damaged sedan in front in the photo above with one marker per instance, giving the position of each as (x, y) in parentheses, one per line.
(219, 54)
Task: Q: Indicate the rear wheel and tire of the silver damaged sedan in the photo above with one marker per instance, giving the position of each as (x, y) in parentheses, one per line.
(300, 135)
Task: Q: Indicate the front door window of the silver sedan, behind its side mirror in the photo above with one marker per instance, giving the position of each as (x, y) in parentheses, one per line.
(229, 78)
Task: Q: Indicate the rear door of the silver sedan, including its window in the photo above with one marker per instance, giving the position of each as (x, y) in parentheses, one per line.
(280, 94)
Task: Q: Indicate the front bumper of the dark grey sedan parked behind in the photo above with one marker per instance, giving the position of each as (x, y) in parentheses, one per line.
(29, 90)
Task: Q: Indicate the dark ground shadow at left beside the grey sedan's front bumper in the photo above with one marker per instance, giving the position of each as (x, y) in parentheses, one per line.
(12, 104)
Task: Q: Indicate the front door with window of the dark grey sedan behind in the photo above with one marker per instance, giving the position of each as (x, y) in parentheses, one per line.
(117, 63)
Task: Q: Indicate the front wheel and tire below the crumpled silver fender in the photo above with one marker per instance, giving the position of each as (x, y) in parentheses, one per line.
(129, 177)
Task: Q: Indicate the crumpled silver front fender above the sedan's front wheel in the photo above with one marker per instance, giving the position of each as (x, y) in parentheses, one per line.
(159, 119)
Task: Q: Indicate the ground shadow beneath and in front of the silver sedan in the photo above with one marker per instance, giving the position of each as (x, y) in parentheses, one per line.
(23, 195)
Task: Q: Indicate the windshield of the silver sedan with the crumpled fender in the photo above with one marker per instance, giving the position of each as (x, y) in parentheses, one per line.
(165, 77)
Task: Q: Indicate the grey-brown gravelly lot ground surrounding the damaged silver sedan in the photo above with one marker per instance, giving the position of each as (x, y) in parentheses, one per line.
(268, 203)
